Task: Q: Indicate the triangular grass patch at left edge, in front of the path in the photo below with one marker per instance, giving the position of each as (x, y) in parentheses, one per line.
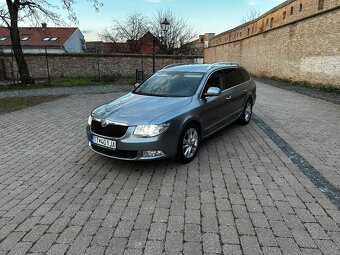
(11, 104)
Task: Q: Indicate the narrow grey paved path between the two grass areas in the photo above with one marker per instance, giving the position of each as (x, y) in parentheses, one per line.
(66, 91)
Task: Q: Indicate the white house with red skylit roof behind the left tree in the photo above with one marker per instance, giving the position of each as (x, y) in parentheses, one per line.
(56, 40)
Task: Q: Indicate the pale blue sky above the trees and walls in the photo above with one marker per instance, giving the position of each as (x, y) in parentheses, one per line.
(205, 16)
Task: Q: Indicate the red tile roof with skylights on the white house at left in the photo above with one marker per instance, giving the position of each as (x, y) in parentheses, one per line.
(37, 34)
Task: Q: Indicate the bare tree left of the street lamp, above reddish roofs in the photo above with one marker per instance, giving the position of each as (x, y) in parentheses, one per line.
(130, 30)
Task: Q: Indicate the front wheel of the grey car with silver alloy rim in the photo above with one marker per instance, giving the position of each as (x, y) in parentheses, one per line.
(188, 144)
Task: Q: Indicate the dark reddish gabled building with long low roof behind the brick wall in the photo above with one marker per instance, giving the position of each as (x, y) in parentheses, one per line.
(144, 45)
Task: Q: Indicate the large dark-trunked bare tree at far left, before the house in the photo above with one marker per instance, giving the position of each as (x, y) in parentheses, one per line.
(34, 11)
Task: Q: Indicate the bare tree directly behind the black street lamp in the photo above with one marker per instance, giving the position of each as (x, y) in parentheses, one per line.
(179, 33)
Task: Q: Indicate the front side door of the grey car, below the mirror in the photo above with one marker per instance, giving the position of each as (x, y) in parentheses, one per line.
(212, 108)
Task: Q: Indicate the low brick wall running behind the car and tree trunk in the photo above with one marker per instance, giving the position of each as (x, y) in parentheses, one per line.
(90, 65)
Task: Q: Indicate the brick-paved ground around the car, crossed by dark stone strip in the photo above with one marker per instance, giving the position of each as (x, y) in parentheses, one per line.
(241, 195)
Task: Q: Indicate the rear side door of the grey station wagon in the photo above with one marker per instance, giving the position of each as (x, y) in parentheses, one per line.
(234, 93)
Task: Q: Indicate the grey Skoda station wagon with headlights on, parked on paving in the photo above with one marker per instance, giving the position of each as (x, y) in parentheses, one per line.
(169, 114)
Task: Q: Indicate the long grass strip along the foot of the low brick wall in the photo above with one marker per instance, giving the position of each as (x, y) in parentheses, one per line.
(69, 83)
